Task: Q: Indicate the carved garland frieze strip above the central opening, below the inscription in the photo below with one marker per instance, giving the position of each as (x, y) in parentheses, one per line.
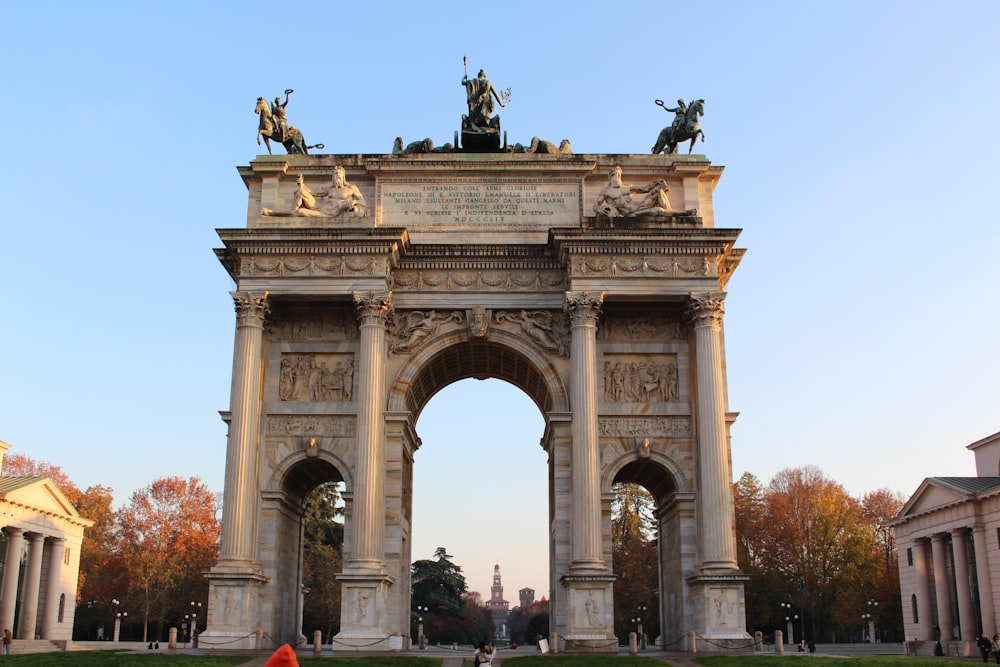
(479, 280)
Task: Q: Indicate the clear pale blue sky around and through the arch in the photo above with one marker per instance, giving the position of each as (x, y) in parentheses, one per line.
(860, 141)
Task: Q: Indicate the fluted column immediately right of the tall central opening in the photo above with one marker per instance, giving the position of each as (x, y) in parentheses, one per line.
(584, 310)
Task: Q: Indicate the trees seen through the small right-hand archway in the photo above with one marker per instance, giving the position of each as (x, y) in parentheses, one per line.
(635, 559)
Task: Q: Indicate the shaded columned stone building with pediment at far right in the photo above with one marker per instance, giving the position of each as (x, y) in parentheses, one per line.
(948, 543)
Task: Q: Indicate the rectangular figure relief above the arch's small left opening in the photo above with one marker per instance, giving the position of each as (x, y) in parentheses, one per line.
(318, 378)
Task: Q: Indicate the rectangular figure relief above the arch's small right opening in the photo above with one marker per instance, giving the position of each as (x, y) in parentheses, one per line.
(631, 378)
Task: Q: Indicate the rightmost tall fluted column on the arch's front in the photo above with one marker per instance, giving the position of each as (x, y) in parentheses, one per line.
(715, 493)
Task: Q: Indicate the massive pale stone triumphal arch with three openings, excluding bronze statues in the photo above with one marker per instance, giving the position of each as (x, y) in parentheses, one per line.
(367, 283)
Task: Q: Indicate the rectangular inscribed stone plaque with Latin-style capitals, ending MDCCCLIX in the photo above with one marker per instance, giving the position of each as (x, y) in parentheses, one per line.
(479, 201)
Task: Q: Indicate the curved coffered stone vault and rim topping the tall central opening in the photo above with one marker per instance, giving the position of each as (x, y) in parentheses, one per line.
(454, 356)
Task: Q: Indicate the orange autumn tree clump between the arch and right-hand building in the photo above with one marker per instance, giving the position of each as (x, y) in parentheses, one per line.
(805, 541)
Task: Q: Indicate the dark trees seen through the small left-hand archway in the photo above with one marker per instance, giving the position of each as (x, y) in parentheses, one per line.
(322, 559)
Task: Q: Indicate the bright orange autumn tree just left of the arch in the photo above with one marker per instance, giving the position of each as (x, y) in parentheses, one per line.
(168, 537)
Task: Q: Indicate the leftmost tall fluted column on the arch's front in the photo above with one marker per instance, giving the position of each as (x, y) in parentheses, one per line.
(239, 500)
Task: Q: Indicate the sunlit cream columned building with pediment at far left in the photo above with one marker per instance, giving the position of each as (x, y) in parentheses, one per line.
(40, 556)
